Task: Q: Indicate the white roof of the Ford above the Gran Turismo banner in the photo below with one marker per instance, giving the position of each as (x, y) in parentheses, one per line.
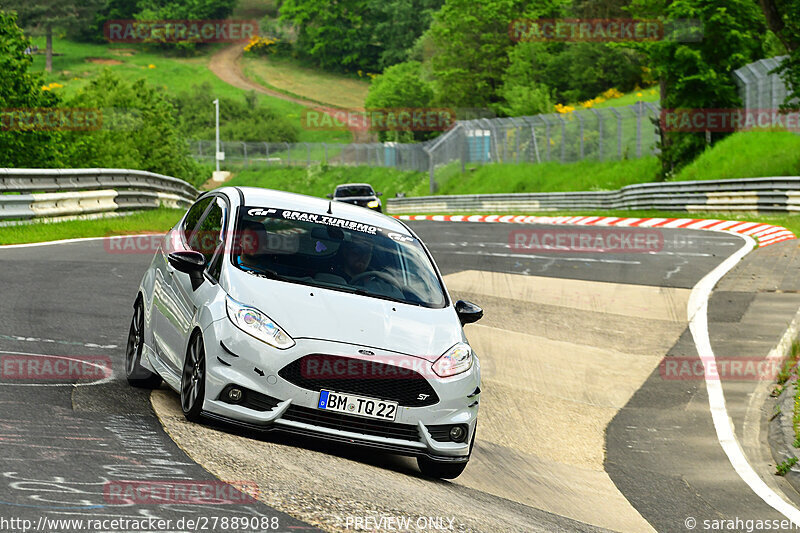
(259, 197)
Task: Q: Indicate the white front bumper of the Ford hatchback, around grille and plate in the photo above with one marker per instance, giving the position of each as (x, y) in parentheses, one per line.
(235, 358)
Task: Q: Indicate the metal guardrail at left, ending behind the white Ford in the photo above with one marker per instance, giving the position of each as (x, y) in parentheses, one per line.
(46, 193)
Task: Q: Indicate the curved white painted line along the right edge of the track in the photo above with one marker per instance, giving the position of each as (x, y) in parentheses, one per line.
(697, 310)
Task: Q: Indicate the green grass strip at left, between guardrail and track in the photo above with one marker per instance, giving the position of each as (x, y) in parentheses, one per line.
(155, 221)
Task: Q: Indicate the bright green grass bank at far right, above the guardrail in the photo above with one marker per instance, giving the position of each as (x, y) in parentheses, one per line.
(746, 155)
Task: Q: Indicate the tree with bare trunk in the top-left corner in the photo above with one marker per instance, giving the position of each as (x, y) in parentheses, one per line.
(44, 15)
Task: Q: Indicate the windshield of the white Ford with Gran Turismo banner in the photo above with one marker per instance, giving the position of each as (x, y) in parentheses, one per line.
(340, 254)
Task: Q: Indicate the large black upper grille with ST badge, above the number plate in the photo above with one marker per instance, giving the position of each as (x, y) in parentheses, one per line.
(410, 389)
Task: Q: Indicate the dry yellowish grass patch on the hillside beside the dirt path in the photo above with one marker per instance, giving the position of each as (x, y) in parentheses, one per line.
(289, 76)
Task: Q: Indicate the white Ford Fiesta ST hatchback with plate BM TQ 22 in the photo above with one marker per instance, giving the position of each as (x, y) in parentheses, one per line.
(279, 311)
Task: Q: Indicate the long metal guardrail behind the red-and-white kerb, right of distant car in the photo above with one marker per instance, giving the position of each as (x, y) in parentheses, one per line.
(780, 194)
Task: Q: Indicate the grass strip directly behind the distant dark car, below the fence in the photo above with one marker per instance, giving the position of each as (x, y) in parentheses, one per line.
(321, 180)
